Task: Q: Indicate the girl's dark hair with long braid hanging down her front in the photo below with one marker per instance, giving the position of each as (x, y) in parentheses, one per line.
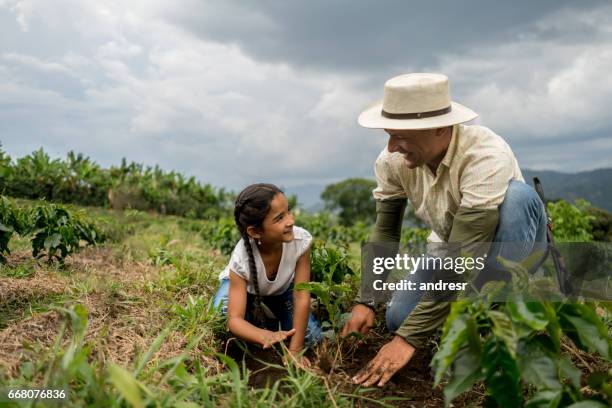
(252, 206)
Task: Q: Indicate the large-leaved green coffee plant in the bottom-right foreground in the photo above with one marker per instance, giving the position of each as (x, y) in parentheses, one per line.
(515, 347)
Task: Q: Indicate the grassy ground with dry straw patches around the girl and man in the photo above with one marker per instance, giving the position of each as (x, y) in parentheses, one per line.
(130, 323)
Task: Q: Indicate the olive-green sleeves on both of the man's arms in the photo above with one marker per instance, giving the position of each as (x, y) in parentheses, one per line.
(470, 226)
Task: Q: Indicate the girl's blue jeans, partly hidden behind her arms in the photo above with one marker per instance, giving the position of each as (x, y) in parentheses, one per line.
(282, 308)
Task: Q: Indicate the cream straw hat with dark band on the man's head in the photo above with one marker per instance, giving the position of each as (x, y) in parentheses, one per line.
(415, 101)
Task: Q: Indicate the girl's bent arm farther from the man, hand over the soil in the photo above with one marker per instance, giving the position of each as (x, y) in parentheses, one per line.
(236, 323)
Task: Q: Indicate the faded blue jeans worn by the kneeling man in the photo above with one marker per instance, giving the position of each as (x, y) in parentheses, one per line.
(521, 228)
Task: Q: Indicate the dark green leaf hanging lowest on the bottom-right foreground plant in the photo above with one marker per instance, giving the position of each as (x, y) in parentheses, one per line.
(501, 374)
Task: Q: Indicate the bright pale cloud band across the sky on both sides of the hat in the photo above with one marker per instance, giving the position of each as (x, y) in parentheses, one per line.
(139, 85)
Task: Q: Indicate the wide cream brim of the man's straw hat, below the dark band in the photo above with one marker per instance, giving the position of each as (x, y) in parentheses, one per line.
(372, 118)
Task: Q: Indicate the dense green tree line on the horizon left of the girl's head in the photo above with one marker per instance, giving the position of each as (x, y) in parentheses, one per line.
(79, 180)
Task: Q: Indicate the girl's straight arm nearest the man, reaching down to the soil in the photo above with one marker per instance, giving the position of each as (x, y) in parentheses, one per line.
(301, 302)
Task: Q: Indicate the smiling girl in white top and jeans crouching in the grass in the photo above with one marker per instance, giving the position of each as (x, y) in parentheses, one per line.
(271, 257)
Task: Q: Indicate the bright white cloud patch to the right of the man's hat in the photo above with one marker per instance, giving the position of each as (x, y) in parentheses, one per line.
(538, 85)
